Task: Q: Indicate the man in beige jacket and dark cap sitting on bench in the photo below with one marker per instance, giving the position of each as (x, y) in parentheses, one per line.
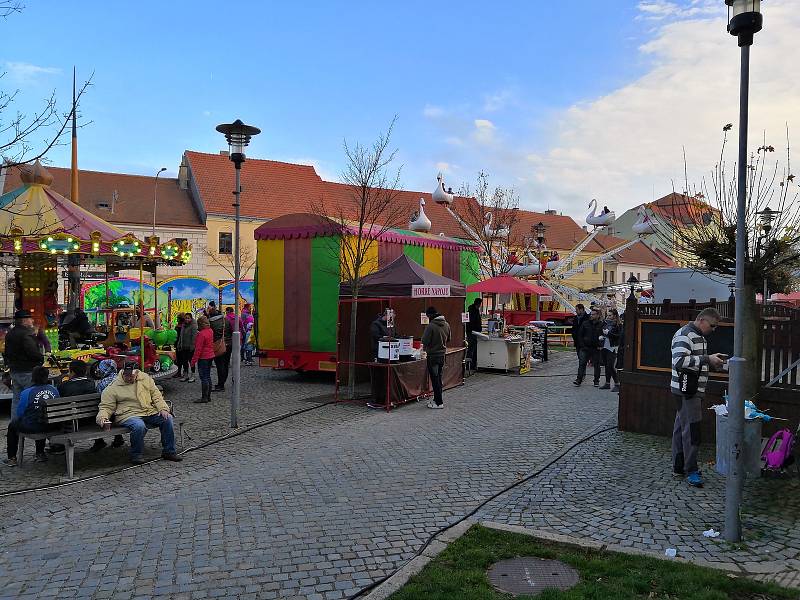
(138, 405)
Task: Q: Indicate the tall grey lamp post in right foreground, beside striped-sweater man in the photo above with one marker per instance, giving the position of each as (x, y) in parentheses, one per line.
(744, 20)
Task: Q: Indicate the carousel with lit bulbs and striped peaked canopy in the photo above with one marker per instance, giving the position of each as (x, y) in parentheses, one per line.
(42, 235)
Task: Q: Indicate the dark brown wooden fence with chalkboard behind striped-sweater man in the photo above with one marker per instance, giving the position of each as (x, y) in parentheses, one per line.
(646, 404)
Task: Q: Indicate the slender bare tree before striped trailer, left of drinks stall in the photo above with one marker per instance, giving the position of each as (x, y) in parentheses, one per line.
(369, 210)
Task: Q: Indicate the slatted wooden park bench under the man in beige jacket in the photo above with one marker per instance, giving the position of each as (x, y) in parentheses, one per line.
(67, 411)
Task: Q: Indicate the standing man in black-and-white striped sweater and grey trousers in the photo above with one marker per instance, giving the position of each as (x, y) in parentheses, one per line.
(690, 356)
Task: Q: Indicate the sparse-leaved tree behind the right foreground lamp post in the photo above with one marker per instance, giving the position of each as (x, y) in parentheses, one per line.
(701, 228)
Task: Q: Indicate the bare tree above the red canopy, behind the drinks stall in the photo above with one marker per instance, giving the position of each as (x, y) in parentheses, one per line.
(491, 218)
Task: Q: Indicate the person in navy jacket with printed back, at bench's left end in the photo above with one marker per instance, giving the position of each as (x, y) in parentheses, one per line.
(30, 415)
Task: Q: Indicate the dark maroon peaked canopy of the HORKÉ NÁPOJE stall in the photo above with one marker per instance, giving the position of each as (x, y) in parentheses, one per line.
(398, 278)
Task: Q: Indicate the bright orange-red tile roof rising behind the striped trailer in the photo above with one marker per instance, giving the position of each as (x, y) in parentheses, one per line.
(273, 189)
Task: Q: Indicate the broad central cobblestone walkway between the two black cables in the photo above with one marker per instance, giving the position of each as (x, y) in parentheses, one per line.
(315, 507)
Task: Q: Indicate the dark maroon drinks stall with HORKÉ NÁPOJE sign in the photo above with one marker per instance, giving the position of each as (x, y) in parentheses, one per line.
(407, 289)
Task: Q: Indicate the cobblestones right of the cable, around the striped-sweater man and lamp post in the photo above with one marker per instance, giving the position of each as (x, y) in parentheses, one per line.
(618, 489)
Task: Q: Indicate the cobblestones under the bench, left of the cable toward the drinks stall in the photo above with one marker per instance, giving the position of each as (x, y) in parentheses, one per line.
(265, 393)
